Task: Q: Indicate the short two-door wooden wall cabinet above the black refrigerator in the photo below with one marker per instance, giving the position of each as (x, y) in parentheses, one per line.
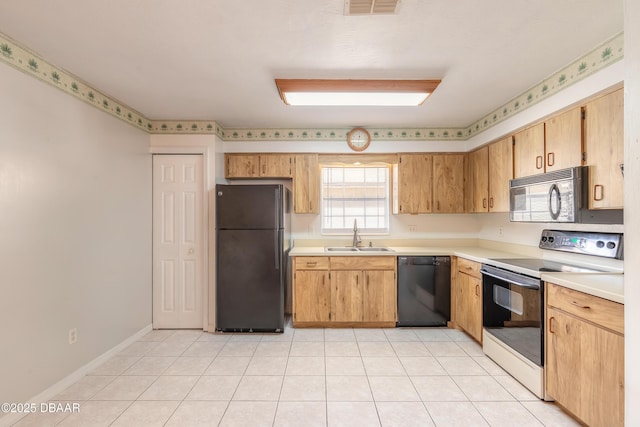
(258, 166)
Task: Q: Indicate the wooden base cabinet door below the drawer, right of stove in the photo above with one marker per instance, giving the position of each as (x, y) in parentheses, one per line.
(585, 369)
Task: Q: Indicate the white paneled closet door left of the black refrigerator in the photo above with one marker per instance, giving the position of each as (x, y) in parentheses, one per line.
(178, 258)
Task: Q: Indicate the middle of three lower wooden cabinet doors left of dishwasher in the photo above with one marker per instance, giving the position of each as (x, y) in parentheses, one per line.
(346, 296)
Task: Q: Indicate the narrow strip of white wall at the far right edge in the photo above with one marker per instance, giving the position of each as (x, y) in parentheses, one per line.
(632, 211)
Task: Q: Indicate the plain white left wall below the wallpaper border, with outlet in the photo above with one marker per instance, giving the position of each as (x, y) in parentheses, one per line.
(75, 227)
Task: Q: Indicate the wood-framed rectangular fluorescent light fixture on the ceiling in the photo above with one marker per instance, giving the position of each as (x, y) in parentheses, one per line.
(400, 93)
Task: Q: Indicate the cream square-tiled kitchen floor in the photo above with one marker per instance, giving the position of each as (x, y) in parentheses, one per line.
(303, 377)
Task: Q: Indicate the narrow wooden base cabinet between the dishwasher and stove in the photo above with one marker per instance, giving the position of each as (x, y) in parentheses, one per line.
(468, 298)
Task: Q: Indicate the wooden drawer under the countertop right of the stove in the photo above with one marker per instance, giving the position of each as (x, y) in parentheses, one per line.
(600, 311)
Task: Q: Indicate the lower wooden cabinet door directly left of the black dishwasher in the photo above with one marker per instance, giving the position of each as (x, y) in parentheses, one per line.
(379, 296)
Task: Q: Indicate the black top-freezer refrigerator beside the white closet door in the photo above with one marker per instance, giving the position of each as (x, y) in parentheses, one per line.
(252, 250)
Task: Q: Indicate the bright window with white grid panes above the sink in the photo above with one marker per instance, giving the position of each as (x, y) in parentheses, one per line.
(360, 193)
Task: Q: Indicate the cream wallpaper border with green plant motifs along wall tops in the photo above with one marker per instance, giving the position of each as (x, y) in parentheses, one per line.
(21, 58)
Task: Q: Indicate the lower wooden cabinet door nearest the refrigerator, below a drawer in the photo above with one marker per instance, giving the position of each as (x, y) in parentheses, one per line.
(312, 296)
